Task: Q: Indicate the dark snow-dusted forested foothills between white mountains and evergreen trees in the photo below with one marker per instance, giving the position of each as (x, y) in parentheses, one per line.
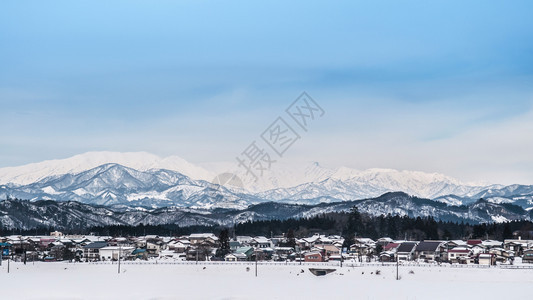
(68, 215)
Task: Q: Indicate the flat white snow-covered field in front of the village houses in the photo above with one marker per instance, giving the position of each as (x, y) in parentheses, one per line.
(233, 281)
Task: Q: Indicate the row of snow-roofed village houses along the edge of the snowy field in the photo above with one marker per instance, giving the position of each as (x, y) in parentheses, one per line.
(315, 248)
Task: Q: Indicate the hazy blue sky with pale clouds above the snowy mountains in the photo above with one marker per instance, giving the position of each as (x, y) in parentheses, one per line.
(436, 86)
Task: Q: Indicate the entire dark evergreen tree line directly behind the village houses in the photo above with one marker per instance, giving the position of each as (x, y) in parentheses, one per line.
(348, 224)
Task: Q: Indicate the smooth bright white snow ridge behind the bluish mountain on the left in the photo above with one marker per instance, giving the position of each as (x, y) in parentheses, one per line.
(141, 161)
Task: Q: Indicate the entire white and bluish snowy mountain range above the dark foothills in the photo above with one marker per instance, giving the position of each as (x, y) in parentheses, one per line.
(145, 180)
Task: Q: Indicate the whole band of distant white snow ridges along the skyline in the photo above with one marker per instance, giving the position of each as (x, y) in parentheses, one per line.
(285, 179)
